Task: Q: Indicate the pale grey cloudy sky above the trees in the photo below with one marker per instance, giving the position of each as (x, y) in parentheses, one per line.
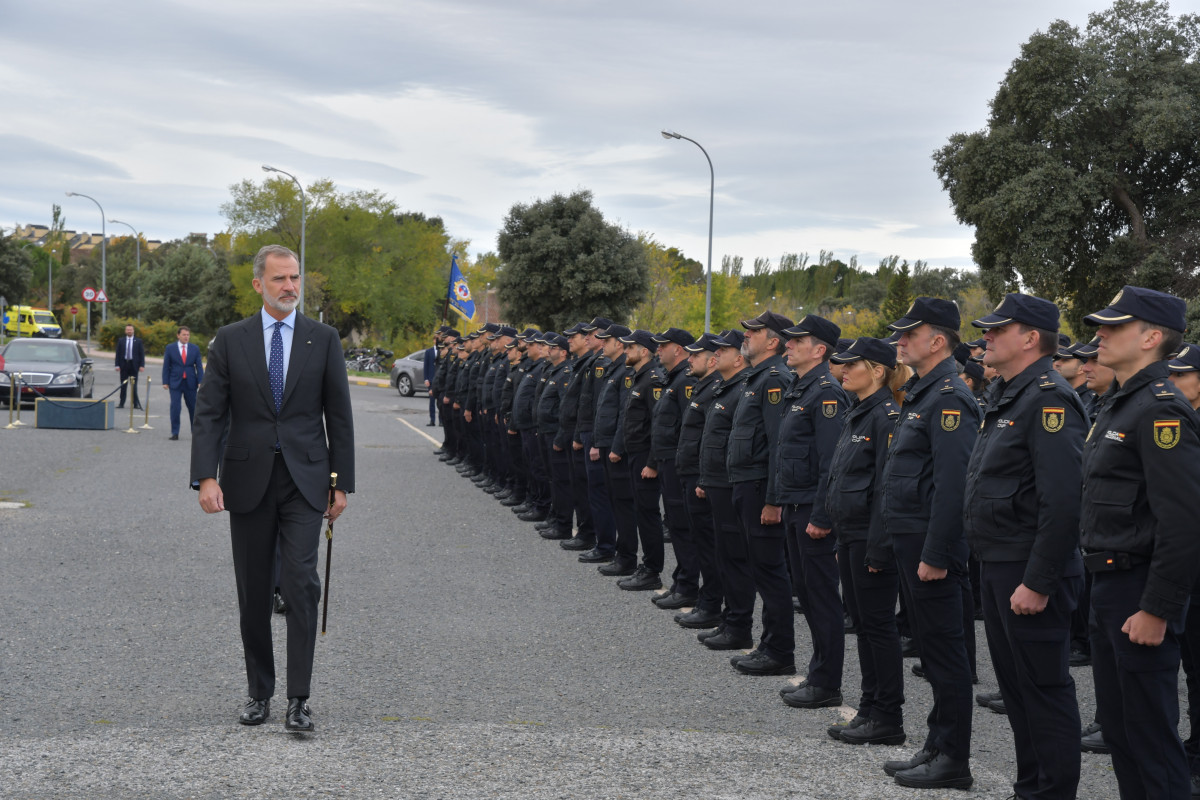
(820, 117)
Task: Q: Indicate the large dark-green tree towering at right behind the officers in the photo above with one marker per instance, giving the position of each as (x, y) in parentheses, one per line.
(1085, 178)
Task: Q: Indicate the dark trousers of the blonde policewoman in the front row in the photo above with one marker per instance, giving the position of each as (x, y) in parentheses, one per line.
(872, 601)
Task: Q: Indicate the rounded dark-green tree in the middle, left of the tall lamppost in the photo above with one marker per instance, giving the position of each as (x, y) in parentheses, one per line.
(565, 263)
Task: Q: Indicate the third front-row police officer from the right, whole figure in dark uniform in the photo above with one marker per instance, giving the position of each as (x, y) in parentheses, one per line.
(923, 482)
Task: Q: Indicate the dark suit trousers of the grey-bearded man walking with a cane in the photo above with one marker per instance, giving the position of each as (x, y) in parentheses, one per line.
(286, 521)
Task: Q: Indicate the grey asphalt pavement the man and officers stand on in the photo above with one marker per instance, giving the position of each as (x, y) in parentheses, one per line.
(466, 657)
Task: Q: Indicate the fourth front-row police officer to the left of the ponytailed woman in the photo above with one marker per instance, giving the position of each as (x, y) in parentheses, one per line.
(710, 598)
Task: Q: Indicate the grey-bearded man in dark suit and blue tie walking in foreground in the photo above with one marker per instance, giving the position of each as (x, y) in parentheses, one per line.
(278, 382)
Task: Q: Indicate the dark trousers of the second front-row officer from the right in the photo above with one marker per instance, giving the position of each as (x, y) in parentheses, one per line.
(1030, 654)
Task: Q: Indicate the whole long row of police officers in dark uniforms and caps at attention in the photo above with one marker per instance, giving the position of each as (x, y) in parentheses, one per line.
(782, 462)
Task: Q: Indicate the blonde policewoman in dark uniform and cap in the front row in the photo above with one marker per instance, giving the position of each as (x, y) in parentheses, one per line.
(869, 580)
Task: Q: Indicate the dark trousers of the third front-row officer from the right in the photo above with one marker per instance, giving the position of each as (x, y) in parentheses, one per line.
(935, 613)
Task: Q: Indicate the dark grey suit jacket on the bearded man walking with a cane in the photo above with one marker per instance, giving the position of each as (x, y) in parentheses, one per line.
(315, 426)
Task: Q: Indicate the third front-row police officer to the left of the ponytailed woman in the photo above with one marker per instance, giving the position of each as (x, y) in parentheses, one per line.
(730, 546)
